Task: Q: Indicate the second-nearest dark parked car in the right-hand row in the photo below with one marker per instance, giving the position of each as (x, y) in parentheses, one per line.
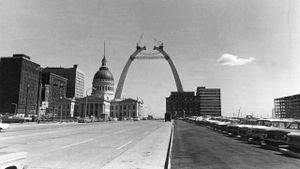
(277, 135)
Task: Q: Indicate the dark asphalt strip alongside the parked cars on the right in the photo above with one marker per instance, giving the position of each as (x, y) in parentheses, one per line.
(198, 147)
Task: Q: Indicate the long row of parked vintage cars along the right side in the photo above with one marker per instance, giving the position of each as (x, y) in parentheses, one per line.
(277, 134)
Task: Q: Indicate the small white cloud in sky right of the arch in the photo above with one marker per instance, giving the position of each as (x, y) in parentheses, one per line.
(232, 60)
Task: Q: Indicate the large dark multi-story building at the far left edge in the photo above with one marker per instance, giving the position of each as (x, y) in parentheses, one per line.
(19, 85)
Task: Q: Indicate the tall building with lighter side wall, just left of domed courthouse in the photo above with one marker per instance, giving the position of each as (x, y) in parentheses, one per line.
(75, 86)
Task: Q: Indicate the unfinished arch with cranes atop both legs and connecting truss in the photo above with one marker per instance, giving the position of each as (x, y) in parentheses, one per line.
(134, 56)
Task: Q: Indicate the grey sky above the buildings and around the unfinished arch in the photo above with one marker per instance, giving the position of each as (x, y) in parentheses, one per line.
(249, 49)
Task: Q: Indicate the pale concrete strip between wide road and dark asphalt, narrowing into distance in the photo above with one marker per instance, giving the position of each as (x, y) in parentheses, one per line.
(149, 153)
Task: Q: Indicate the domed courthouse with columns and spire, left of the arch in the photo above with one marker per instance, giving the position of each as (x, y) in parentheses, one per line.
(101, 102)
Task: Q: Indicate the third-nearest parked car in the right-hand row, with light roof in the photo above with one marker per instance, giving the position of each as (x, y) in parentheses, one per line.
(257, 133)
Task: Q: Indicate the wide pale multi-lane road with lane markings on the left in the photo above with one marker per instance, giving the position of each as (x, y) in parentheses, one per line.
(75, 145)
